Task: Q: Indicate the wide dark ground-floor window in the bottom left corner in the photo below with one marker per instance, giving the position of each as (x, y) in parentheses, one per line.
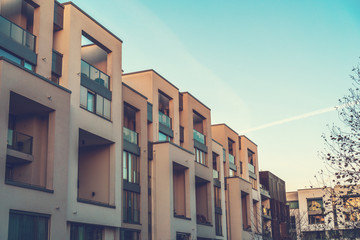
(24, 225)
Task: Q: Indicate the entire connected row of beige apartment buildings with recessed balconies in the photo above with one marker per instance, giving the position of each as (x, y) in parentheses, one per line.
(87, 152)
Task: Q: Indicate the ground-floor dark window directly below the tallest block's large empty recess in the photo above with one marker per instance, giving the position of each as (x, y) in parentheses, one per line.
(86, 232)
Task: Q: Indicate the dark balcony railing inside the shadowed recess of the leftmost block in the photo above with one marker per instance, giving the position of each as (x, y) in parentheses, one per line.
(19, 141)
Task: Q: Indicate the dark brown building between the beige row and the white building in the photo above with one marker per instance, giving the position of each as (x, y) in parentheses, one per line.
(275, 211)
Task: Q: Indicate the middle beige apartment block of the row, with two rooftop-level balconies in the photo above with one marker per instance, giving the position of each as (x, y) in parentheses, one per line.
(182, 179)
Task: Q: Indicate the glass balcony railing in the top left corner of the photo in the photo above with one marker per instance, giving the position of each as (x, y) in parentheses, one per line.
(17, 33)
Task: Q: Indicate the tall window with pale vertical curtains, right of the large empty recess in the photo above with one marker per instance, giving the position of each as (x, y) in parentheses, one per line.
(130, 168)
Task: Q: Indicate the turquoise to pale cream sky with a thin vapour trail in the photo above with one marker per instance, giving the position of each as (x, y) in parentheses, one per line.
(271, 70)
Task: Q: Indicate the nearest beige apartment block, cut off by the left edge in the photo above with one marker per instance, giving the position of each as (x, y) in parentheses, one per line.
(34, 120)
